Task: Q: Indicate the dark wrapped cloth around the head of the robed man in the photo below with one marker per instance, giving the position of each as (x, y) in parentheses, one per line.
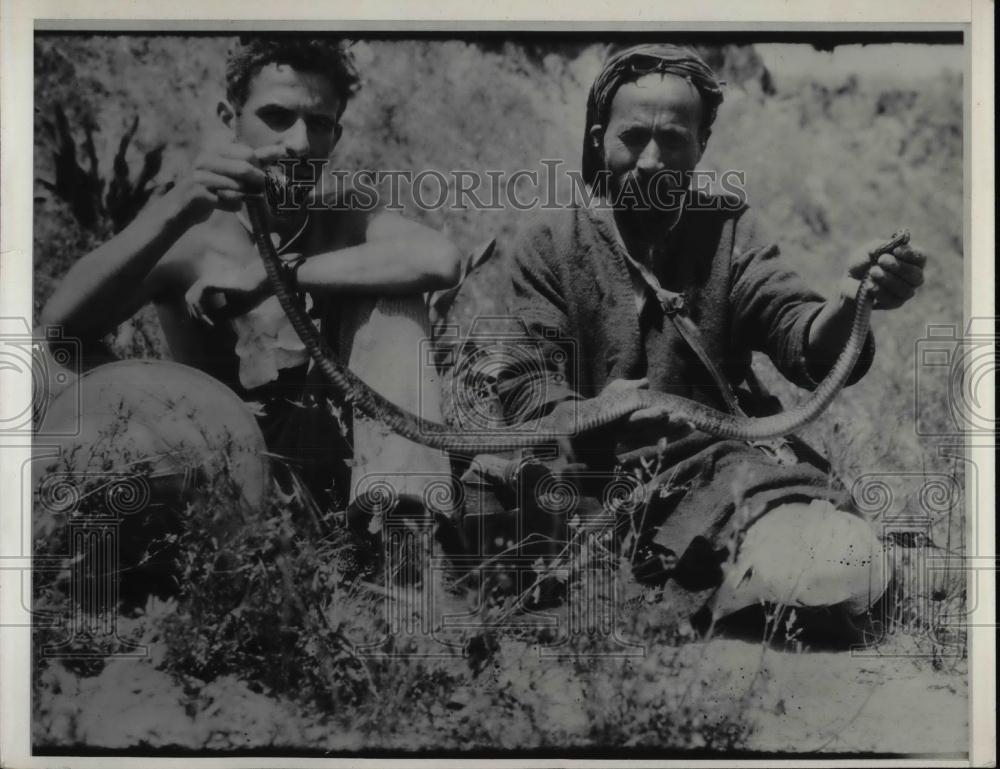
(627, 66)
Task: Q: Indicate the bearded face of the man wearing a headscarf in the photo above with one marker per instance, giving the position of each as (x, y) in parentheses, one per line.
(653, 133)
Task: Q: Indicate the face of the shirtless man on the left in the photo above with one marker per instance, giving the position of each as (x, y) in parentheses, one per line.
(288, 107)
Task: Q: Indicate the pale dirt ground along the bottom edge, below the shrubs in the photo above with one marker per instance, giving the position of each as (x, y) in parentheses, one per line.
(797, 702)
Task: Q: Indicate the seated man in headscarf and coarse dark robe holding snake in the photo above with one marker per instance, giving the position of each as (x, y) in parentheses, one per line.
(655, 285)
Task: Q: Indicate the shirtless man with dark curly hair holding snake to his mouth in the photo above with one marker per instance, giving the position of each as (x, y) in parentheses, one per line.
(191, 252)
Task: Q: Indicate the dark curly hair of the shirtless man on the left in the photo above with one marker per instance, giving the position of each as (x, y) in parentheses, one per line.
(308, 53)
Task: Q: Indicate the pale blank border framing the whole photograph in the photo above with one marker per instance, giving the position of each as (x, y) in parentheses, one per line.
(21, 18)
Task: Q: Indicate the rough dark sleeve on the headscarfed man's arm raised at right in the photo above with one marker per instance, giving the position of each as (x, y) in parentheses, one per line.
(773, 308)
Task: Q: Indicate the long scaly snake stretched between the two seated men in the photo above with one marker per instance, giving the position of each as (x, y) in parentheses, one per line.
(585, 416)
